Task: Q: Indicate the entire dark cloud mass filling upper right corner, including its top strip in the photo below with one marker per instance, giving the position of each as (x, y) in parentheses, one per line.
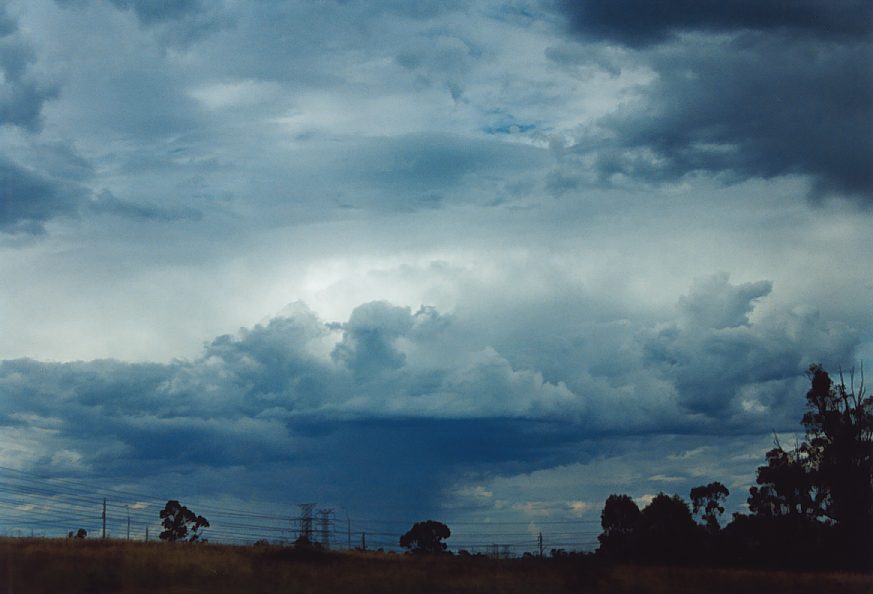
(788, 92)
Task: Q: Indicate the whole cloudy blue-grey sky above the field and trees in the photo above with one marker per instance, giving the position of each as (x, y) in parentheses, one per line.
(486, 261)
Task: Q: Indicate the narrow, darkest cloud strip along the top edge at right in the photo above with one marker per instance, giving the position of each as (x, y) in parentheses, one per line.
(642, 22)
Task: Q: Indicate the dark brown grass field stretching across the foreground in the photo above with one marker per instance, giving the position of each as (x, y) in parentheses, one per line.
(68, 566)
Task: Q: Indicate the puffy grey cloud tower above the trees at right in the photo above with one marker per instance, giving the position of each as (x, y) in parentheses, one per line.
(724, 365)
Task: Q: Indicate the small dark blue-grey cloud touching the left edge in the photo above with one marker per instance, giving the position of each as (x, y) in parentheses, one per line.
(29, 199)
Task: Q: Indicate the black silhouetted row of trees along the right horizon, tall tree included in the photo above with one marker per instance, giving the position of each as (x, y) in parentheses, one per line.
(811, 506)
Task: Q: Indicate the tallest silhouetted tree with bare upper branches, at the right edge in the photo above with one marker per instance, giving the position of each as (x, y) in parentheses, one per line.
(821, 492)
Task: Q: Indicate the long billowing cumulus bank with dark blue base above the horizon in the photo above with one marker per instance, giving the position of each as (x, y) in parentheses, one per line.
(328, 399)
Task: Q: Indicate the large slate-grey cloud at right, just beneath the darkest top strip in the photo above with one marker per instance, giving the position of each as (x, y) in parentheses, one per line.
(751, 106)
